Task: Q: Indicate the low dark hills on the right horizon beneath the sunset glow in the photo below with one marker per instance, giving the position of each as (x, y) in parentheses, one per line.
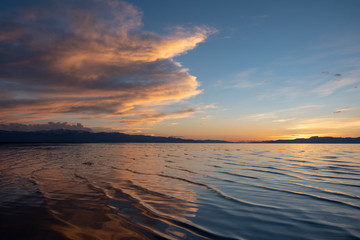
(316, 139)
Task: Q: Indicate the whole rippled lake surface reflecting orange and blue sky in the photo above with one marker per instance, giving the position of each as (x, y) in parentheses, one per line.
(180, 191)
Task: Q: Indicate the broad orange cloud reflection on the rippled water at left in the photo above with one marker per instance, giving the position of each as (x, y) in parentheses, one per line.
(117, 193)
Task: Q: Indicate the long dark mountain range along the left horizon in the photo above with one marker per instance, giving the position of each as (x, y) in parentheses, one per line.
(76, 136)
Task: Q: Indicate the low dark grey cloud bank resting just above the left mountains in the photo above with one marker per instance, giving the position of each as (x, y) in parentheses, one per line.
(42, 127)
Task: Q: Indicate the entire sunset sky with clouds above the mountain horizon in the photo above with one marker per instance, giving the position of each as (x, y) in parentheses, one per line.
(205, 69)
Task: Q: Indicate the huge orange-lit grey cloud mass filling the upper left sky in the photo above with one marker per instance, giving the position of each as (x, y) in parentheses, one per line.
(89, 59)
